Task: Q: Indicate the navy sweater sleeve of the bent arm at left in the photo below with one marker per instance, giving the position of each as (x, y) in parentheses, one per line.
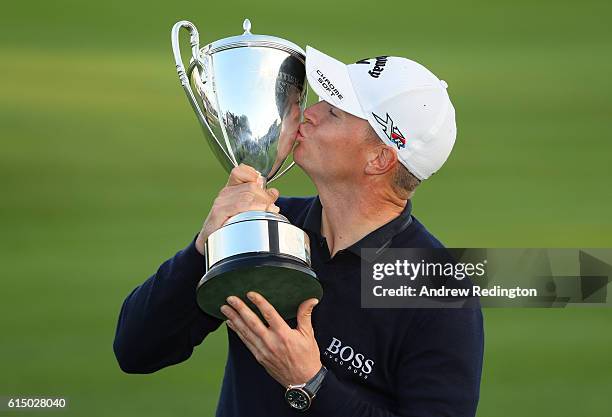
(160, 322)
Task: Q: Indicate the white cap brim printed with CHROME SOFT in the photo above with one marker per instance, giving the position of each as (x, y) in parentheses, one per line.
(329, 78)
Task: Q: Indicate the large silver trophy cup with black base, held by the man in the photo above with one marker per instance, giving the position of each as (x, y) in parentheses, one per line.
(250, 92)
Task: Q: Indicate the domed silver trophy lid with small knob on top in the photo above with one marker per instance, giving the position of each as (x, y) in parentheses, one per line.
(248, 39)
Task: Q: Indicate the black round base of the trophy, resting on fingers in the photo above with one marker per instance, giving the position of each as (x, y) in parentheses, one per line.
(283, 281)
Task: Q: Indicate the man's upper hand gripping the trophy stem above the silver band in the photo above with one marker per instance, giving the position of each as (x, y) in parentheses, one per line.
(243, 192)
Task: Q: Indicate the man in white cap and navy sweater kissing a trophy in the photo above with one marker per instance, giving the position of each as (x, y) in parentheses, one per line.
(383, 125)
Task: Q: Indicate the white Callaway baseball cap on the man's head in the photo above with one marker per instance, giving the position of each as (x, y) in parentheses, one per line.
(406, 104)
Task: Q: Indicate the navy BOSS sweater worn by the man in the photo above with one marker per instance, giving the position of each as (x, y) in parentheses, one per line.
(381, 362)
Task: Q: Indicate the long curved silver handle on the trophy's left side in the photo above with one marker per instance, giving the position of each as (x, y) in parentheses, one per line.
(194, 41)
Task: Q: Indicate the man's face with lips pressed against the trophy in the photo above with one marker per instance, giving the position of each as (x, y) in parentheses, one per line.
(331, 144)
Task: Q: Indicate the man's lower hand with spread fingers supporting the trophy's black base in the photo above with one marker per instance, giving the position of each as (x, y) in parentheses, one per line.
(291, 356)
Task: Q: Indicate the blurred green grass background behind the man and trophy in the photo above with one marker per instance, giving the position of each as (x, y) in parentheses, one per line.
(104, 174)
